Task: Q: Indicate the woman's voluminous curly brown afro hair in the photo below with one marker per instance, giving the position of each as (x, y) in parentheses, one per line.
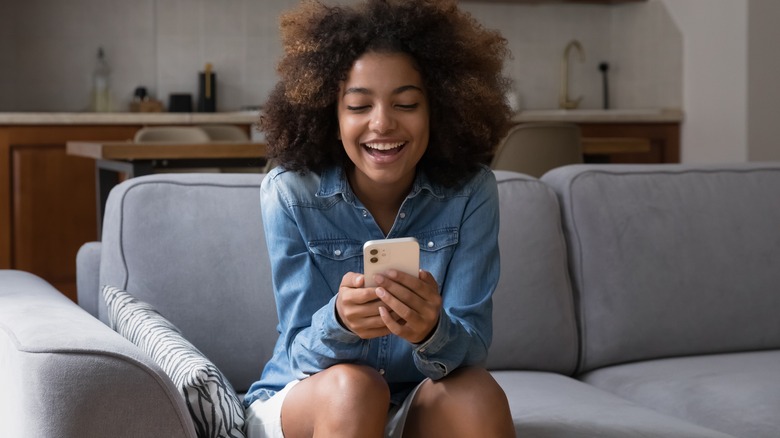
(460, 63)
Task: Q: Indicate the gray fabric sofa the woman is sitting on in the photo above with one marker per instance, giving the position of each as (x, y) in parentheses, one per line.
(634, 301)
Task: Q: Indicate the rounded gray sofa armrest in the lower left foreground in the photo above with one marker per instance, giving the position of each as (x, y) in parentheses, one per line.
(66, 374)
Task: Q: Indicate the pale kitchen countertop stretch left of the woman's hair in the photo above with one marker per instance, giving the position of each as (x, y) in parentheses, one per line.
(52, 118)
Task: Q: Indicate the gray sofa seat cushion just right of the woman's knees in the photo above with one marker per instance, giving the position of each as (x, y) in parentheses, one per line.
(553, 405)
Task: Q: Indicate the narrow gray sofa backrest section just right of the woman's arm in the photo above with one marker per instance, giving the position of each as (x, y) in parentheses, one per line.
(533, 312)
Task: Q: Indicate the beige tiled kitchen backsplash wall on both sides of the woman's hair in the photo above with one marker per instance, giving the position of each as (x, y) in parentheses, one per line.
(162, 44)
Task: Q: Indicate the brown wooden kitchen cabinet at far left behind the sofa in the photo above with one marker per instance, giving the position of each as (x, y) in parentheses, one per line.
(47, 198)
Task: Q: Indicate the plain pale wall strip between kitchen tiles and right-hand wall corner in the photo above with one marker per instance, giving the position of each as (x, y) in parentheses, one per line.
(714, 78)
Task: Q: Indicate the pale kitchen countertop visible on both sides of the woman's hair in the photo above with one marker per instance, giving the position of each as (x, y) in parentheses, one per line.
(553, 115)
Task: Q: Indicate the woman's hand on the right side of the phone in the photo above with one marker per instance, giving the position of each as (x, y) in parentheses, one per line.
(411, 305)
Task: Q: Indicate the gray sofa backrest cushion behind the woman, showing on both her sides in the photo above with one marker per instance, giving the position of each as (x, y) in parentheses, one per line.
(192, 246)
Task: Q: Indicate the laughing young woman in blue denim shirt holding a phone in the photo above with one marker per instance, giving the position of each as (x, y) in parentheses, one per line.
(381, 123)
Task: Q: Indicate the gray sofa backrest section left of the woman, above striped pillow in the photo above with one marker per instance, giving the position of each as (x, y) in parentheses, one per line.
(192, 246)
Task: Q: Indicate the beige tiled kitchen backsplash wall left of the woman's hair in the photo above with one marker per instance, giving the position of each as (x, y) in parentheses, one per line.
(160, 44)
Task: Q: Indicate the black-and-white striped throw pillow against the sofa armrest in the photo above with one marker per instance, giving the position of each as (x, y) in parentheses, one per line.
(213, 404)
